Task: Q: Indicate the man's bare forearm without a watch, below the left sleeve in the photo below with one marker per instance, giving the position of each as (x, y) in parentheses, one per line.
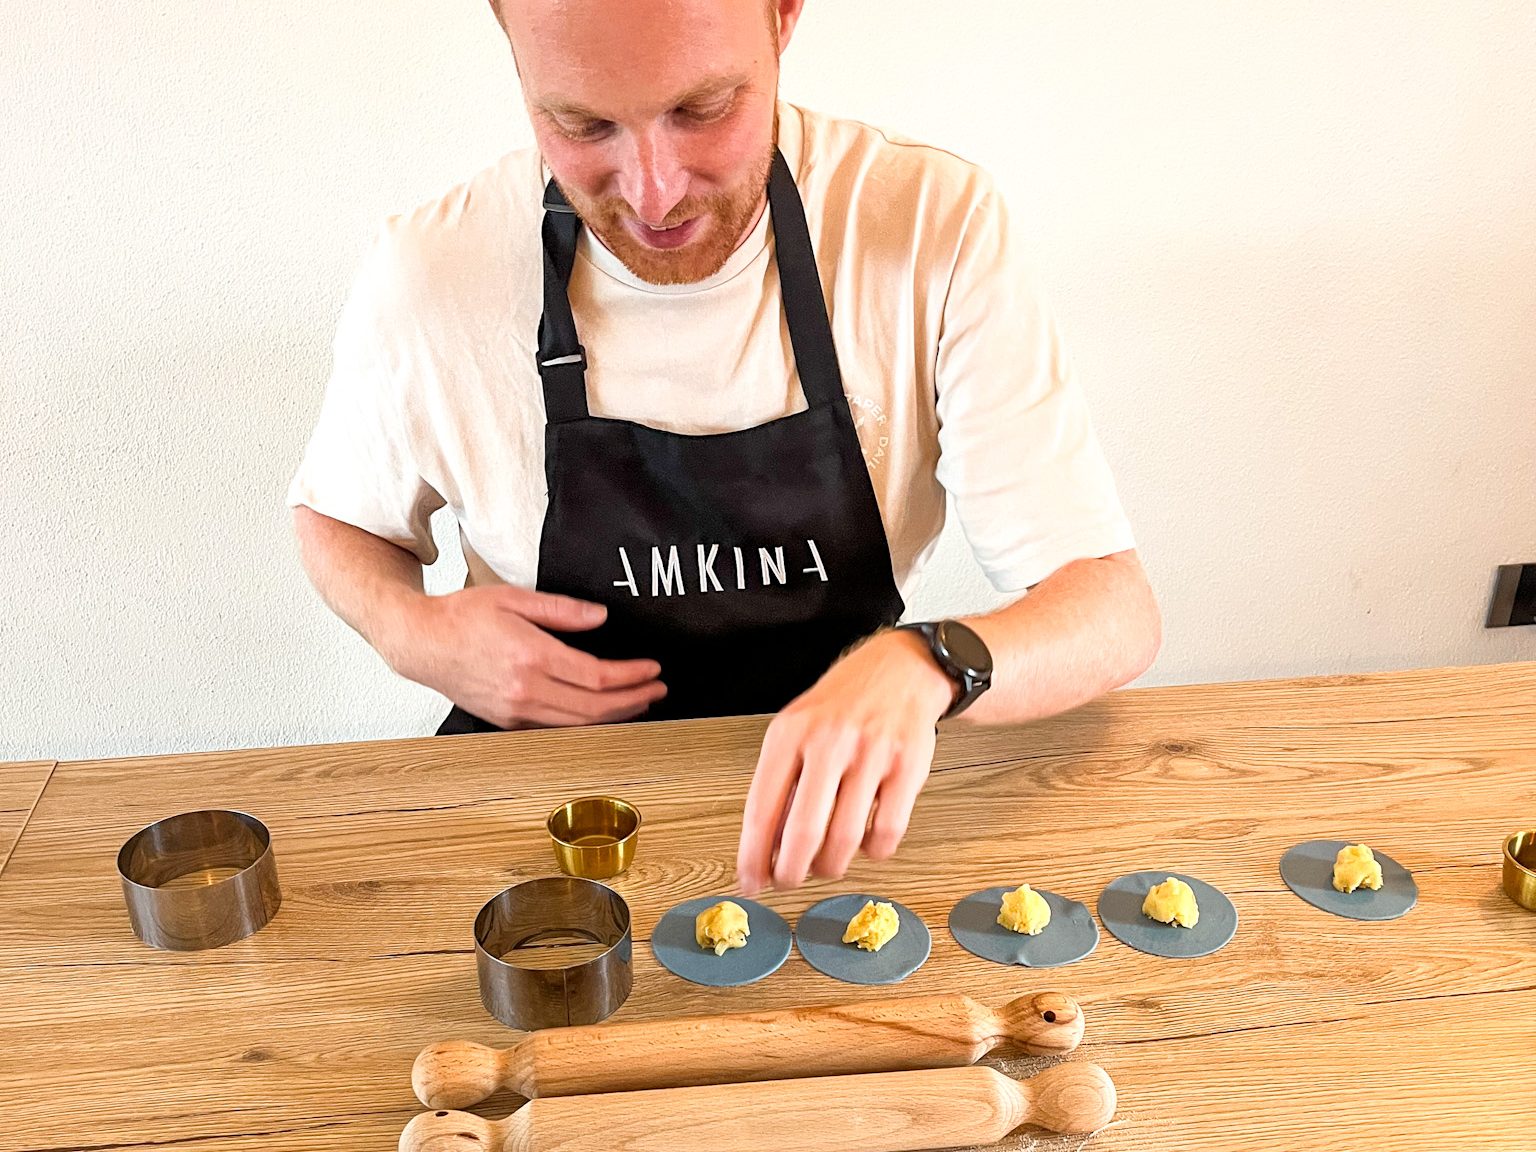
(365, 580)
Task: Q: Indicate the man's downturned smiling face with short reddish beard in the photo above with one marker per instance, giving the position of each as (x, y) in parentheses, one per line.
(657, 119)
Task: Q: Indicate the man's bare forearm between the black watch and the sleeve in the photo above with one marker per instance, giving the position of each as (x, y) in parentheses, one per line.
(1090, 627)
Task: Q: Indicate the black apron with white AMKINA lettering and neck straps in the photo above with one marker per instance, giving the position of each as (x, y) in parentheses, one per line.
(744, 563)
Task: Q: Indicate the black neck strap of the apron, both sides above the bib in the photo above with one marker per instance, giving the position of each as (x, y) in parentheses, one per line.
(563, 360)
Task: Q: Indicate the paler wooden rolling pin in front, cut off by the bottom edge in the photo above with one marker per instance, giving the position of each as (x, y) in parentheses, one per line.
(878, 1113)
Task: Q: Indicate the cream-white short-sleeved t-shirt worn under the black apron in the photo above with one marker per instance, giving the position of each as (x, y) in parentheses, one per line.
(955, 371)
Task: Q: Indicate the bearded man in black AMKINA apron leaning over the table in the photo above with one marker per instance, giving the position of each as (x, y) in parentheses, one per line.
(695, 377)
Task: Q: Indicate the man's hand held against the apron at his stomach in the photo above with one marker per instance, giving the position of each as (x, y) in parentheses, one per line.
(491, 652)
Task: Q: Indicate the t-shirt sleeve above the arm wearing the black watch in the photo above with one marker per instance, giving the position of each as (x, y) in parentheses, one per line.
(1018, 448)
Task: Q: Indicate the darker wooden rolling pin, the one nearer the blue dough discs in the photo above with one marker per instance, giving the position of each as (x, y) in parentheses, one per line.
(876, 1036)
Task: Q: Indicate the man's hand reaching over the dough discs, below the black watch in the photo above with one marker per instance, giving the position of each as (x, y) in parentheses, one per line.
(842, 764)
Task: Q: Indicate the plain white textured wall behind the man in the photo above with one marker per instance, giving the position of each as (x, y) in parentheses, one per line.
(1294, 247)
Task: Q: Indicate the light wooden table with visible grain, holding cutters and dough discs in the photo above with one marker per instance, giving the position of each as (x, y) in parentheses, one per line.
(1306, 1033)
